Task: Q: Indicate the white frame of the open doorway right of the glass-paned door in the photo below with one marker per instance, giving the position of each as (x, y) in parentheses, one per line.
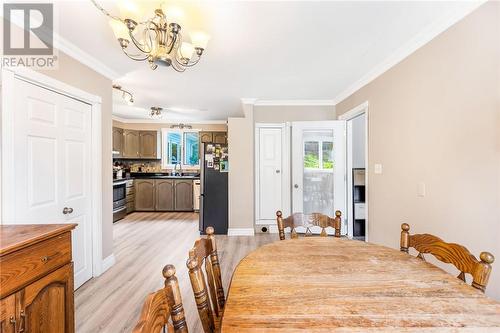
(349, 115)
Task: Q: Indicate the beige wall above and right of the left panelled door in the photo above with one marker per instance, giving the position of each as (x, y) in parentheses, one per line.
(80, 76)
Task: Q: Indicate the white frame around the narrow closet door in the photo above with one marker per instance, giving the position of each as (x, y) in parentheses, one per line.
(285, 172)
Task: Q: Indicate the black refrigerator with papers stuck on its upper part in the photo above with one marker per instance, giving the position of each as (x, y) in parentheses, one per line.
(214, 188)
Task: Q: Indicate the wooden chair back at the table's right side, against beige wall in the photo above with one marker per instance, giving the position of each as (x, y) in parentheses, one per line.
(450, 253)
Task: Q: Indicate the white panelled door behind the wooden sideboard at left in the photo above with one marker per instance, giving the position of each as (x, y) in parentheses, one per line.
(52, 146)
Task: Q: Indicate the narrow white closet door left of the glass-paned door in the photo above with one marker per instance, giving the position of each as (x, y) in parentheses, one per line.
(270, 172)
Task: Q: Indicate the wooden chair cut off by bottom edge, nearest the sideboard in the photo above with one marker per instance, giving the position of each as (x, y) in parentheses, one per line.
(163, 305)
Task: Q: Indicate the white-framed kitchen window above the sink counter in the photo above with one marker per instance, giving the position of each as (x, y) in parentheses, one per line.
(180, 147)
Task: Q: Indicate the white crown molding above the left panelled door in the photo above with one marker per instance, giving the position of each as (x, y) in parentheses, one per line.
(62, 44)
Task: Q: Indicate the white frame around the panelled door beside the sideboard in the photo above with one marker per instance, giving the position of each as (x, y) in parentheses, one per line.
(8, 183)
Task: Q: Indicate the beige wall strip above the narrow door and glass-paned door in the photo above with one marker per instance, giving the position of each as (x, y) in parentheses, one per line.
(279, 114)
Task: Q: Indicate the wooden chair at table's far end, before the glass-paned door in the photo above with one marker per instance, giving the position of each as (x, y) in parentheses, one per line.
(306, 220)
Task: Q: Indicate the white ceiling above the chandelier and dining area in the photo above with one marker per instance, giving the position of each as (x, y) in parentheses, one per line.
(300, 50)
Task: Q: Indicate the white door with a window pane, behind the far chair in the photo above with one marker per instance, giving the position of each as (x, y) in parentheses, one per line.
(319, 168)
